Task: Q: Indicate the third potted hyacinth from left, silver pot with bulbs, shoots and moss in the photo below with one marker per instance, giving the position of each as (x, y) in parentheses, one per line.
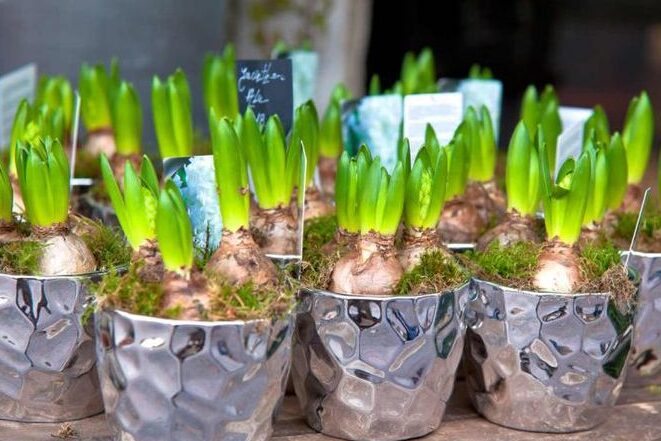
(376, 348)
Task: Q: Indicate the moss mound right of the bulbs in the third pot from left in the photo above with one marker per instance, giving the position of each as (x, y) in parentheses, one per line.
(436, 272)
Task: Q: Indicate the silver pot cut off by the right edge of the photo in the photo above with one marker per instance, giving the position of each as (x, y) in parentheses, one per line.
(645, 367)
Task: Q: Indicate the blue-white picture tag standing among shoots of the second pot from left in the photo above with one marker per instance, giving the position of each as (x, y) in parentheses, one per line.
(195, 178)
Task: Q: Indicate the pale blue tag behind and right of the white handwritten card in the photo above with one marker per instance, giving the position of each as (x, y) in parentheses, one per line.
(478, 93)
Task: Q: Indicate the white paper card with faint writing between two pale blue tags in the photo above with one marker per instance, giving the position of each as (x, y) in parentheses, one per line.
(444, 111)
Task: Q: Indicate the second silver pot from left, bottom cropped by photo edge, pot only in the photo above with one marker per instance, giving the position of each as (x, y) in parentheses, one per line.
(169, 380)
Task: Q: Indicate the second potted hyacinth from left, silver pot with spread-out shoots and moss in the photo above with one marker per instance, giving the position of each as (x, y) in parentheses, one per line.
(204, 352)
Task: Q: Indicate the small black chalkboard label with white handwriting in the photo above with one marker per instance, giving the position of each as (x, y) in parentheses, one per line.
(266, 86)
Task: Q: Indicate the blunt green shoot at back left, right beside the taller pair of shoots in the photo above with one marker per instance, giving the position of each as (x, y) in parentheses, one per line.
(127, 120)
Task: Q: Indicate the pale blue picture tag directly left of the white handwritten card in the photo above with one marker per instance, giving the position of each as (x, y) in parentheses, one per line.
(375, 121)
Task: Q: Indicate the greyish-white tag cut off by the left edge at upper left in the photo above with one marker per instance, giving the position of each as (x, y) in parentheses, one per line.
(14, 86)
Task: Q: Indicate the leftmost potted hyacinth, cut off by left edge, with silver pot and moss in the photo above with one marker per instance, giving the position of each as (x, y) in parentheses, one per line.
(49, 257)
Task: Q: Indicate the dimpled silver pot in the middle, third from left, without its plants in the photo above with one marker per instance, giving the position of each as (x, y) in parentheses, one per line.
(376, 368)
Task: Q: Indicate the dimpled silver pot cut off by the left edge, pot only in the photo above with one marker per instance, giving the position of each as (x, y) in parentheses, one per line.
(47, 359)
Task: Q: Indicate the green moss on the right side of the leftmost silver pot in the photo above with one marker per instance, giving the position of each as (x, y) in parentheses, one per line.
(107, 244)
